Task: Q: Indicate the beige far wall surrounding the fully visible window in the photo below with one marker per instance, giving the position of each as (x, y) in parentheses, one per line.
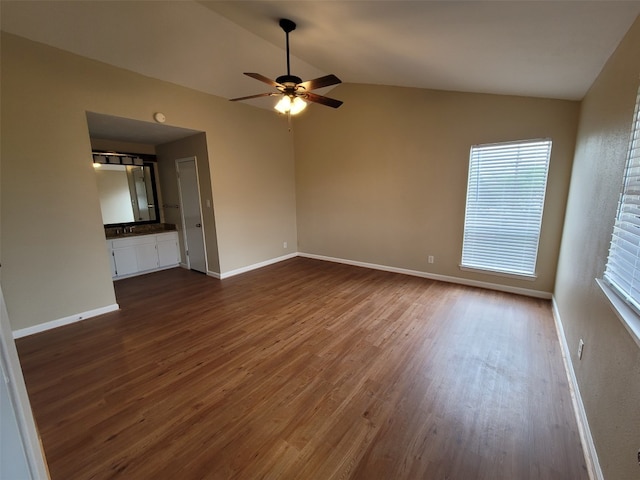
(383, 179)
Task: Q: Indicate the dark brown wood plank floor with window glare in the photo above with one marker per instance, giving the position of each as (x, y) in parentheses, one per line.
(305, 370)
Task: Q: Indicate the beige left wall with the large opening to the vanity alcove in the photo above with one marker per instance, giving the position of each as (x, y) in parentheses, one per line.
(53, 257)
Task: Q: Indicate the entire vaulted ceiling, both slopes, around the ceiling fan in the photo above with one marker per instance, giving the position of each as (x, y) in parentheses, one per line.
(549, 48)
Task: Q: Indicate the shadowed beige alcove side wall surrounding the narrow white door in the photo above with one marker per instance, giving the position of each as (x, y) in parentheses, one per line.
(168, 153)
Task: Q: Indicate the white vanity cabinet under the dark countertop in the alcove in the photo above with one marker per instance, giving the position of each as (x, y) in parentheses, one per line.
(143, 253)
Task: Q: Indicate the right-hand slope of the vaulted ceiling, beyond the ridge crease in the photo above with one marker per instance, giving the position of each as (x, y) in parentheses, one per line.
(549, 49)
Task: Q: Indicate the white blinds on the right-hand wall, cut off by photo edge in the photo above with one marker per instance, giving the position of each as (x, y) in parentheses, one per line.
(622, 272)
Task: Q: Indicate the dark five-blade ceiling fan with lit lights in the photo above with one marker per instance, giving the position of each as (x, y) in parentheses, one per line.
(293, 90)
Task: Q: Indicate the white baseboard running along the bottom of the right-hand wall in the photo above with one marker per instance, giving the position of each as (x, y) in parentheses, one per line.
(588, 447)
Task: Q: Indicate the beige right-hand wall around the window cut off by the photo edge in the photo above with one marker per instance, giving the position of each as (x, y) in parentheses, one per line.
(609, 372)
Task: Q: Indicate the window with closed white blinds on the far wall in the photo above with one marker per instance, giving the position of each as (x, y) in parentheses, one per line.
(505, 198)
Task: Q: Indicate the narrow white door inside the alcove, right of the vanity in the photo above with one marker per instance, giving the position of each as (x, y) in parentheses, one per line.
(191, 214)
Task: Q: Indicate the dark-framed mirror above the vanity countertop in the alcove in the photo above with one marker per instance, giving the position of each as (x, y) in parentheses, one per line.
(127, 193)
